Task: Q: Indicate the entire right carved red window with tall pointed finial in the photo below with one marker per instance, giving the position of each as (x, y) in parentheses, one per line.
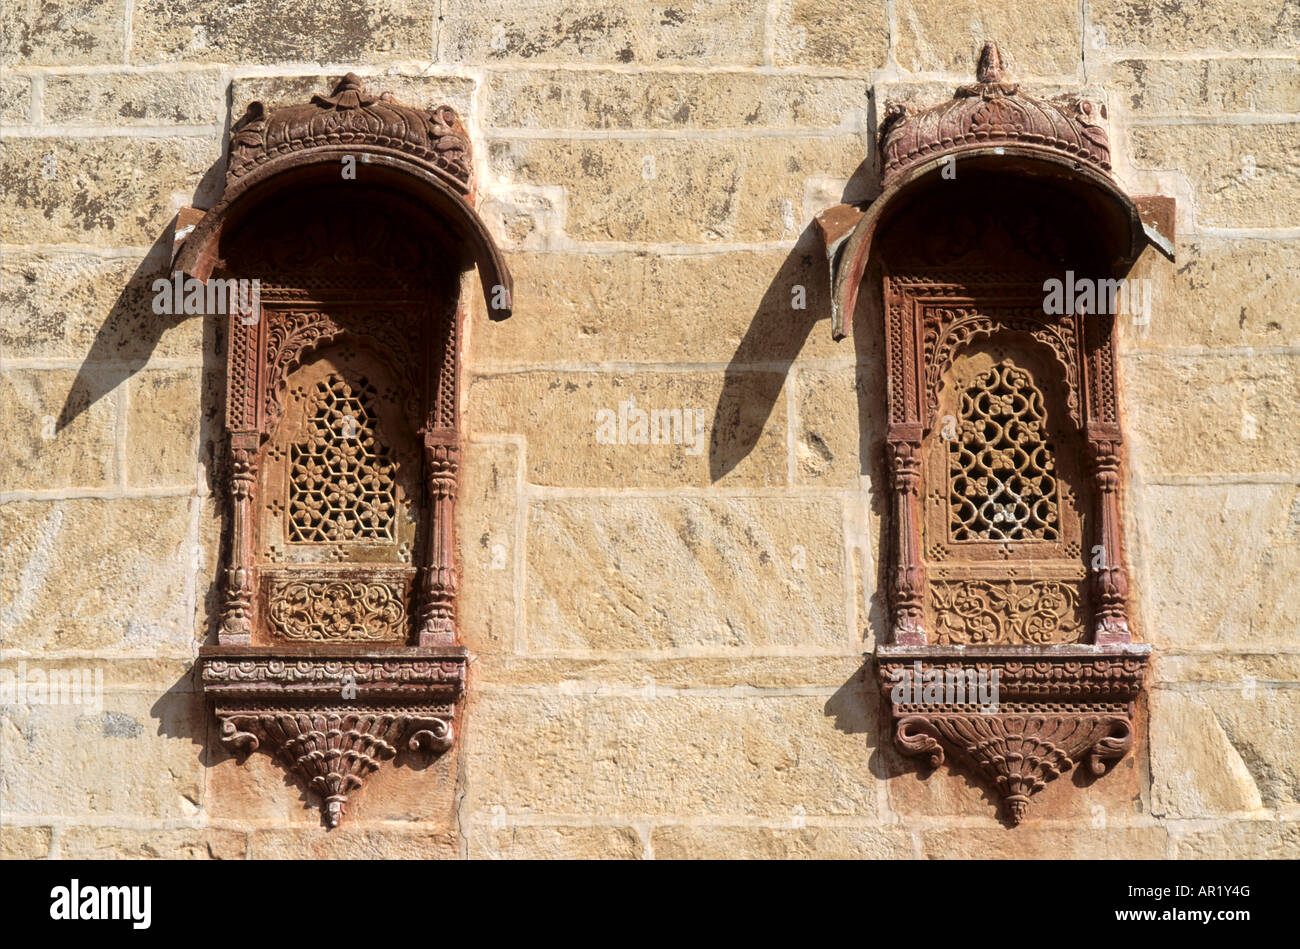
(1004, 460)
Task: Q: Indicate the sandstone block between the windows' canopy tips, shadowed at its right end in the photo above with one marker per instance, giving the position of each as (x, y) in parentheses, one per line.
(733, 307)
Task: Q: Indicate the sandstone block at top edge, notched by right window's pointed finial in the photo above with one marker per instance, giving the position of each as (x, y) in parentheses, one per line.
(1039, 40)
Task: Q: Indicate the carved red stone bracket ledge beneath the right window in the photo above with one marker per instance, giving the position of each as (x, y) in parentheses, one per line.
(1016, 716)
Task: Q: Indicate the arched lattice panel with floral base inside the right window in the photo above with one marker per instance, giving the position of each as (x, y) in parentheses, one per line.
(1003, 491)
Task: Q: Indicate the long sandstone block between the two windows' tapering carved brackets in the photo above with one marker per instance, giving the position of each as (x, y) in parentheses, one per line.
(621, 756)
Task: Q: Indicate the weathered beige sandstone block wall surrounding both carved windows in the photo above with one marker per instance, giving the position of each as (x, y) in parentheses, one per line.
(668, 643)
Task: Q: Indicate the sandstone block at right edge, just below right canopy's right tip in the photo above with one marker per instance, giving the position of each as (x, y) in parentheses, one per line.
(1223, 293)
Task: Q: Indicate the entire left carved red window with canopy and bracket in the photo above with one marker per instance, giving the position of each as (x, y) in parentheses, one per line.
(337, 645)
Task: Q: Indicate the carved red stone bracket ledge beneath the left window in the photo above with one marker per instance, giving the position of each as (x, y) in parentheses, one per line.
(332, 717)
